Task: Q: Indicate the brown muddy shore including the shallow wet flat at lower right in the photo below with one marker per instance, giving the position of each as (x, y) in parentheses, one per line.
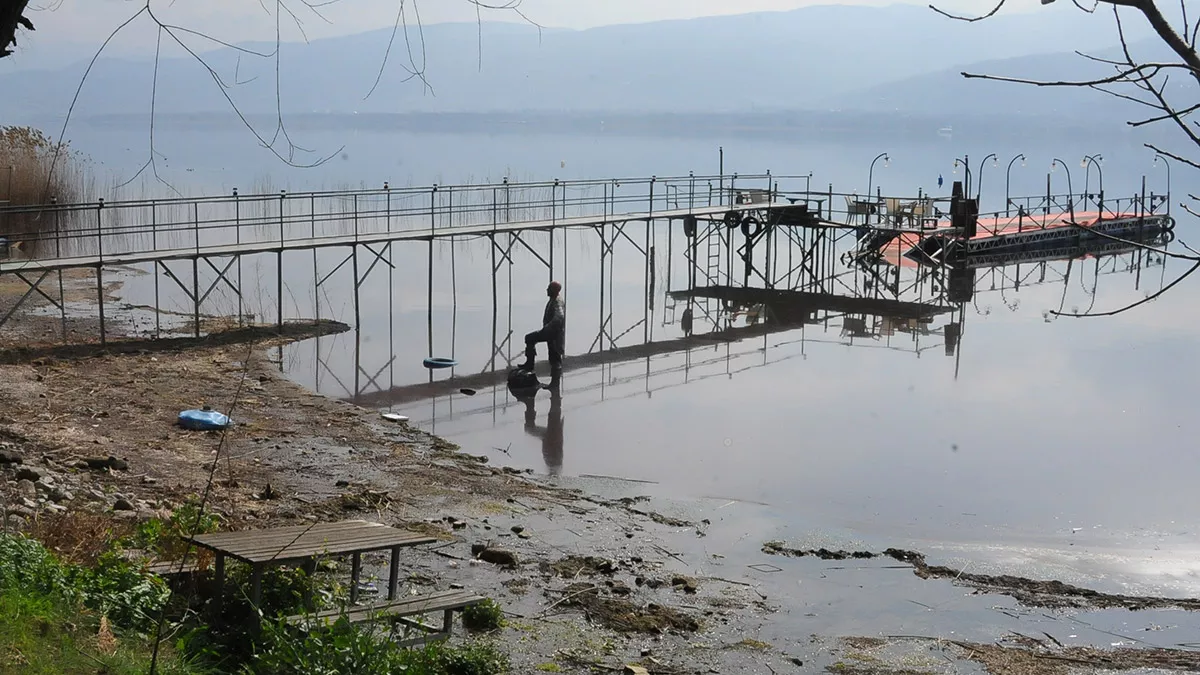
(590, 583)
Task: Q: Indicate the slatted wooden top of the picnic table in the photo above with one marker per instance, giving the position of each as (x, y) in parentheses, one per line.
(303, 542)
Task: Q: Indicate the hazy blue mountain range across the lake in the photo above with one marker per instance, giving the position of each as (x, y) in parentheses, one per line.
(899, 59)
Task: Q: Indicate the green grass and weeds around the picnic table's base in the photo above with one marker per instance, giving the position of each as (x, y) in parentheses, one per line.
(64, 619)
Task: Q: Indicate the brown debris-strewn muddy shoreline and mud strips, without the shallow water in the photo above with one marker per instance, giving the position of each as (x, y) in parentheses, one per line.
(593, 584)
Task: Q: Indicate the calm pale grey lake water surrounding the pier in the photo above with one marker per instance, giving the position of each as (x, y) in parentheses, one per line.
(1039, 434)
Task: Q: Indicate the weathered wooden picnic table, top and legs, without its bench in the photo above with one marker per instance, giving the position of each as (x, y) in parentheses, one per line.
(304, 545)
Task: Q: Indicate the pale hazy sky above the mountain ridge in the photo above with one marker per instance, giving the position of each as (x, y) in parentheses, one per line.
(86, 23)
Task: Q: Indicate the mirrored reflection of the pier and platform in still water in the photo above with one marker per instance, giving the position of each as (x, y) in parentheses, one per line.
(832, 295)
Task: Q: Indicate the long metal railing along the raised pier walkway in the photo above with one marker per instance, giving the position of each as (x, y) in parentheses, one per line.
(109, 231)
